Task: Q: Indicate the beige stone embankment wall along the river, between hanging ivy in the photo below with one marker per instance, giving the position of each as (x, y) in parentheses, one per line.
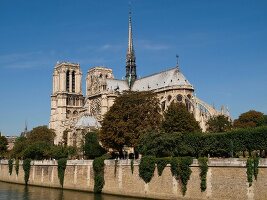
(226, 179)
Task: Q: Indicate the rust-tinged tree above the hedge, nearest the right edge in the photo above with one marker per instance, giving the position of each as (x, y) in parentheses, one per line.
(248, 119)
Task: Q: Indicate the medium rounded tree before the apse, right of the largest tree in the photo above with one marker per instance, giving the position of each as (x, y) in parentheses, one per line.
(178, 119)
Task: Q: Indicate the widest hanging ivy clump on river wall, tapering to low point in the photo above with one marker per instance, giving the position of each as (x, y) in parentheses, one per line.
(180, 168)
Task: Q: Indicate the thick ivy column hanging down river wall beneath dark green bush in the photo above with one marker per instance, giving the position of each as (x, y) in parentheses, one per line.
(98, 167)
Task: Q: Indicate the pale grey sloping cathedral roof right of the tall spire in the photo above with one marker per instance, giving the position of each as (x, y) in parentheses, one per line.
(168, 78)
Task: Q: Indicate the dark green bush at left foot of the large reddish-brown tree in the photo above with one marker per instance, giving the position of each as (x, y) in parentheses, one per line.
(92, 147)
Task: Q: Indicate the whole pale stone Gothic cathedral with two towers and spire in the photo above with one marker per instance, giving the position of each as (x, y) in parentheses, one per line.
(74, 114)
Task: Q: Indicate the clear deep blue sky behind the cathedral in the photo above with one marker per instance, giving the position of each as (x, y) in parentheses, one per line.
(222, 48)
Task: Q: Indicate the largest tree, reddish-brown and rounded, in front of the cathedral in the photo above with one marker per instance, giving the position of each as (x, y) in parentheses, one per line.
(132, 114)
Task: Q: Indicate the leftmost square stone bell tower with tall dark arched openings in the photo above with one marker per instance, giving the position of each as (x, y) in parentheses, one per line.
(66, 100)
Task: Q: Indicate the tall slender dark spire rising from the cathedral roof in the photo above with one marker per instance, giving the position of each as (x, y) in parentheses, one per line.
(130, 56)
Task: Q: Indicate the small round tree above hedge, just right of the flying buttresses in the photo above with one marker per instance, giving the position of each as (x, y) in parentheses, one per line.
(219, 124)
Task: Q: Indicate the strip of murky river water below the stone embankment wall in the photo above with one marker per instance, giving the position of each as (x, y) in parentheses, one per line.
(20, 192)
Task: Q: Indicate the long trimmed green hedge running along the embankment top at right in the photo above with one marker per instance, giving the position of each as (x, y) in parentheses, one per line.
(199, 144)
